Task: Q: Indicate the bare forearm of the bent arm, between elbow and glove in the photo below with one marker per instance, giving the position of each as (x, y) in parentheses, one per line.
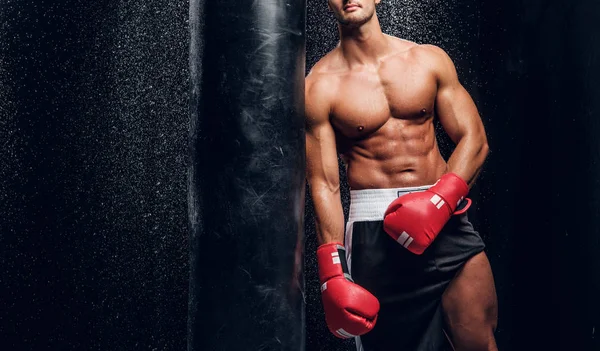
(468, 157)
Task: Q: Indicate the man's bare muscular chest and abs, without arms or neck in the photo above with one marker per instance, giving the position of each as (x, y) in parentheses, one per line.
(383, 119)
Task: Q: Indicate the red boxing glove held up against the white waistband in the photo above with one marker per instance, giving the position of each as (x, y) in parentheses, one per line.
(415, 219)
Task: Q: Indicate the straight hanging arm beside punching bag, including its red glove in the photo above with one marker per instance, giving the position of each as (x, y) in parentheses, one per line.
(350, 310)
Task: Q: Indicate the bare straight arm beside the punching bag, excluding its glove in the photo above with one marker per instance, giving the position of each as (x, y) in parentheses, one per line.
(321, 164)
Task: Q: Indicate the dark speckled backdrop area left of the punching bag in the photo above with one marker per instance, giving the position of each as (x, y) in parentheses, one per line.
(93, 129)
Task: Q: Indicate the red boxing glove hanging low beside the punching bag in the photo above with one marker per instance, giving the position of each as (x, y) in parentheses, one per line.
(350, 310)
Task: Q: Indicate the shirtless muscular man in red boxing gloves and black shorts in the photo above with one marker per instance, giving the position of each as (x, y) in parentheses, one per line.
(418, 271)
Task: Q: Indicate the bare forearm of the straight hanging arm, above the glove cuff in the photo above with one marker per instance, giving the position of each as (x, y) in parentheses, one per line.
(329, 215)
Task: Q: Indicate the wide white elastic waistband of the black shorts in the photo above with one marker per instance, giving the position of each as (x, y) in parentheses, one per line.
(370, 204)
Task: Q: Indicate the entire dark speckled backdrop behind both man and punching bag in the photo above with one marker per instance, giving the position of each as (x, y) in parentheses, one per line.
(93, 128)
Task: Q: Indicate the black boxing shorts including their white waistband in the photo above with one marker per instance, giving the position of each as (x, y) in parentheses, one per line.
(409, 287)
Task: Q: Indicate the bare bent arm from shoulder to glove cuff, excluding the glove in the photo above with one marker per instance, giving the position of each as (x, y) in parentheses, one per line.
(459, 117)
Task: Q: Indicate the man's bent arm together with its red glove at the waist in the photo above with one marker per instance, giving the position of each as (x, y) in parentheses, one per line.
(415, 219)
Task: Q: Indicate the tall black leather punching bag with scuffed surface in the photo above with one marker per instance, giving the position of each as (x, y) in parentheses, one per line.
(246, 179)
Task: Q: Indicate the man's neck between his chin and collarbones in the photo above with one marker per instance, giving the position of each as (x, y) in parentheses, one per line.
(363, 45)
